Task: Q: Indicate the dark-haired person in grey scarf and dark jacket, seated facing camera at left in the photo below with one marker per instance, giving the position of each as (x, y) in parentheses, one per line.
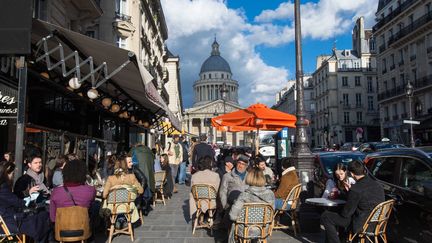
(33, 180)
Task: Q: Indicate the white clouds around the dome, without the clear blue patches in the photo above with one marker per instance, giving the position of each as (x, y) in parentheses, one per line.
(193, 24)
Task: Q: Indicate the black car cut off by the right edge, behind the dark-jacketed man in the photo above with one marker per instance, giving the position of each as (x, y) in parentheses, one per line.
(406, 176)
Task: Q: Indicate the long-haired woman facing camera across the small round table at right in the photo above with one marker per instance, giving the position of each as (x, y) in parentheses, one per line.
(339, 186)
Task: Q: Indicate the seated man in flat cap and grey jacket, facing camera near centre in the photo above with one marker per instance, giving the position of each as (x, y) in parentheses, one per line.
(233, 182)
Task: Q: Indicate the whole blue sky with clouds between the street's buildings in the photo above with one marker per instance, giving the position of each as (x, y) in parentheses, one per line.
(256, 37)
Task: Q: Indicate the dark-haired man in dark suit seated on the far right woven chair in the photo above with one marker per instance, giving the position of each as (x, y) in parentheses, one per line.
(364, 195)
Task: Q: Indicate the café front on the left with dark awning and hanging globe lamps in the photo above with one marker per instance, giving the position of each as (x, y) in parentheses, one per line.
(84, 96)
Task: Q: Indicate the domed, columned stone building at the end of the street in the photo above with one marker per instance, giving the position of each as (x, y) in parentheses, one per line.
(215, 93)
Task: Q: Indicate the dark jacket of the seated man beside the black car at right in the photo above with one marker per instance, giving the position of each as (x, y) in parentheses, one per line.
(363, 196)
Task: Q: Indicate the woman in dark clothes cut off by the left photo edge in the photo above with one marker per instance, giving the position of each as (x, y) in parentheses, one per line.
(11, 209)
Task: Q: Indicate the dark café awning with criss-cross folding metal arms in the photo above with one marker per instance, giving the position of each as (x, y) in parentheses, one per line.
(97, 62)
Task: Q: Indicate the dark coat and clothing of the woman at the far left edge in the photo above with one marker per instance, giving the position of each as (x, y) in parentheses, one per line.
(11, 209)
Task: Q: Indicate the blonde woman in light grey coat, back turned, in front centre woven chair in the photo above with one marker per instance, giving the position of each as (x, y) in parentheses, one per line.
(255, 193)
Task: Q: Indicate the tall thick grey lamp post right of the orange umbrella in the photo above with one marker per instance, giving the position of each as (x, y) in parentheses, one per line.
(302, 156)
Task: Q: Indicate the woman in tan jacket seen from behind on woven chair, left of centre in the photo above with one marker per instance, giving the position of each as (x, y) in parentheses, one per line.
(121, 178)
